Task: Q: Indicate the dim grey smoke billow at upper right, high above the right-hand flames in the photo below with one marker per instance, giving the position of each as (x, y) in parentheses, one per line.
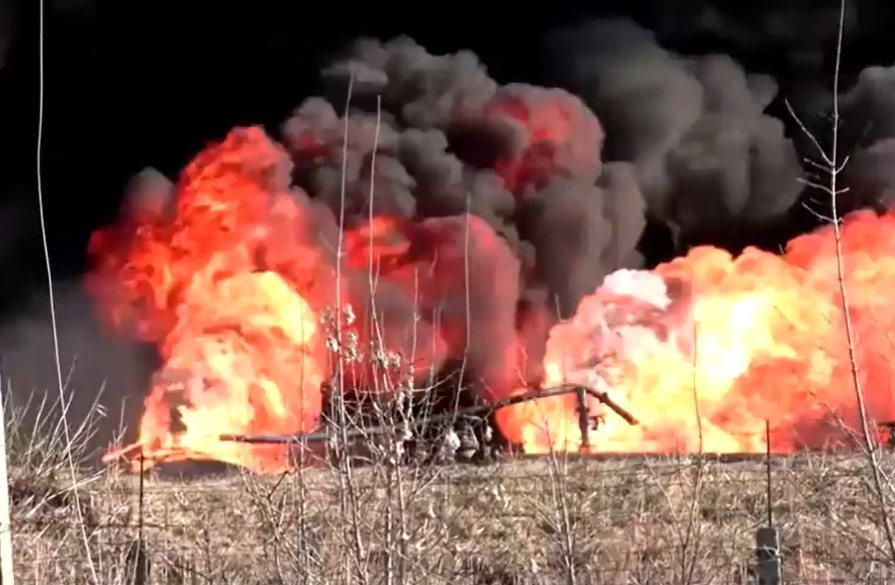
(694, 127)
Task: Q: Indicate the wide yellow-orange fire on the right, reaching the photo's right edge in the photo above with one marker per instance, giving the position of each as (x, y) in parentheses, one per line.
(741, 341)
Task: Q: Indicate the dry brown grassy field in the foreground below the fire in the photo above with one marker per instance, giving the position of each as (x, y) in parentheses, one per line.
(633, 520)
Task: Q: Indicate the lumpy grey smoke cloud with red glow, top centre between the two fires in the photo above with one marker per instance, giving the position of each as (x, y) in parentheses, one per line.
(449, 139)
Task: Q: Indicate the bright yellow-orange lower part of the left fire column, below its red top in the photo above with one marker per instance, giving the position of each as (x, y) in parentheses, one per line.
(235, 375)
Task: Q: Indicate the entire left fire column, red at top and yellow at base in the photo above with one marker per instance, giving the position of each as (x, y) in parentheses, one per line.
(207, 281)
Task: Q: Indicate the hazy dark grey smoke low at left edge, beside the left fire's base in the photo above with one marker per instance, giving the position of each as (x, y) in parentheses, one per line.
(105, 375)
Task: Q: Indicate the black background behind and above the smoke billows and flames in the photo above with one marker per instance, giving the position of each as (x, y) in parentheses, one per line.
(136, 84)
